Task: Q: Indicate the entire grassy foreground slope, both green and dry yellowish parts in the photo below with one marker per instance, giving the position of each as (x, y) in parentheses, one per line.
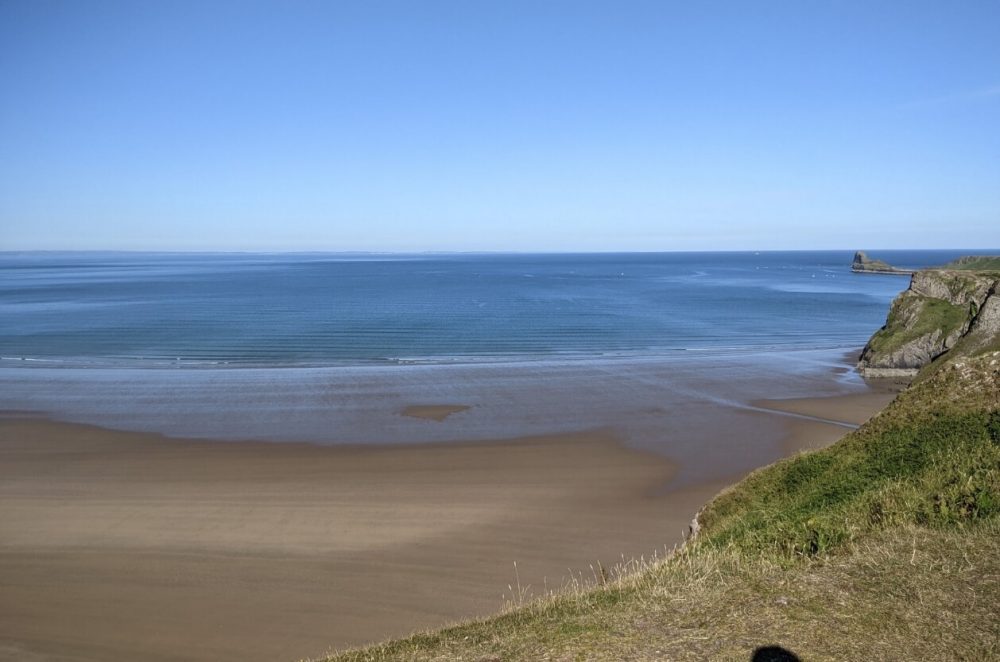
(883, 546)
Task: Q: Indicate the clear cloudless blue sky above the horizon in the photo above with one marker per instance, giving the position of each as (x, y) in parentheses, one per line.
(501, 125)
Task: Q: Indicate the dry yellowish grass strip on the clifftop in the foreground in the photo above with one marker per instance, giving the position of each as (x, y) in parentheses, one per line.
(912, 593)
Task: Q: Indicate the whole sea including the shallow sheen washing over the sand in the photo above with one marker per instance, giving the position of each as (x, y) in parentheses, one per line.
(329, 348)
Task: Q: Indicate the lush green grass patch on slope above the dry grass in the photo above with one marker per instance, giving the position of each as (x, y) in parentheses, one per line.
(924, 461)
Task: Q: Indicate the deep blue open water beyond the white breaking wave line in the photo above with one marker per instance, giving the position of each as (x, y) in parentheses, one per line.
(200, 310)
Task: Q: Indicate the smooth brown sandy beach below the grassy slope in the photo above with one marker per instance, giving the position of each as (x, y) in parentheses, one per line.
(118, 545)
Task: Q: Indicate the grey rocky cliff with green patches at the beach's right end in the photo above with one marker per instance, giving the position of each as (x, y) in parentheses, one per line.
(943, 311)
